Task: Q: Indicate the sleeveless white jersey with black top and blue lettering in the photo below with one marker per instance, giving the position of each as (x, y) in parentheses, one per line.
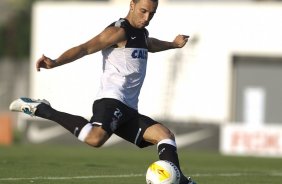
(124, 69)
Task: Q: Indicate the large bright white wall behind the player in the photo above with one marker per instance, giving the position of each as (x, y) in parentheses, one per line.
(201, 90)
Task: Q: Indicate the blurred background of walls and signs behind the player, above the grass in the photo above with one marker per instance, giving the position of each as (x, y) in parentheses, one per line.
(222, 92)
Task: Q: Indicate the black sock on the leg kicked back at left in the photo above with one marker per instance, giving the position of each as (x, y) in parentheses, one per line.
(72, 123)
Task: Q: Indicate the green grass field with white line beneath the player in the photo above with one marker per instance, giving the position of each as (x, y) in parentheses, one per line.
(49, 164)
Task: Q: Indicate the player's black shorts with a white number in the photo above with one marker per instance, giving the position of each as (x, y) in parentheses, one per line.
(116, 117)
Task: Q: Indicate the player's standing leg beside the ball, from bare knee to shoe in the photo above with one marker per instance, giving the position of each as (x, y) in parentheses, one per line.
(167, 149)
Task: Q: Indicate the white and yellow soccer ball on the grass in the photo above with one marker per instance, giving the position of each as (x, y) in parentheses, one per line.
(162, 172)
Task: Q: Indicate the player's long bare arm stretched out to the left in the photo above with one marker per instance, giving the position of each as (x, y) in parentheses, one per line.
(110, 36)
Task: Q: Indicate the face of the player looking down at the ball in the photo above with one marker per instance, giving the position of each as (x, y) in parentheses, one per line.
(142, 12)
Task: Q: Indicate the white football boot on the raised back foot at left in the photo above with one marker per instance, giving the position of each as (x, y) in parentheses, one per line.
(26, 105)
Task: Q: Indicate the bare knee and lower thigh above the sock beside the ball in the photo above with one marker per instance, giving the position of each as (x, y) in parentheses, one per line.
(156, 133)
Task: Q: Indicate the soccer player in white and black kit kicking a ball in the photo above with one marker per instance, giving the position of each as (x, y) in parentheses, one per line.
(125, 45)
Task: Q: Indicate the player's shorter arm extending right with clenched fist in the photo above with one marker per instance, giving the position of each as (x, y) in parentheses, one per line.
(155, 45)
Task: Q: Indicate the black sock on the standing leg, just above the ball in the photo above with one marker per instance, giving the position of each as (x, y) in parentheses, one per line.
(168, 152)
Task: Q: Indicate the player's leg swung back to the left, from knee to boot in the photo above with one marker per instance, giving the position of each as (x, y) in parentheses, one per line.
(77, 125)
